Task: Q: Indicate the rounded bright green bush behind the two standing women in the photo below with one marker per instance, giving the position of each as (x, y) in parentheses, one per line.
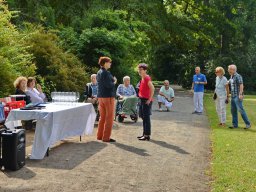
(110, 34)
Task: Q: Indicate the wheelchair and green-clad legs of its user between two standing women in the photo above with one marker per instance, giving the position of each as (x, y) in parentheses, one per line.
(126, 108)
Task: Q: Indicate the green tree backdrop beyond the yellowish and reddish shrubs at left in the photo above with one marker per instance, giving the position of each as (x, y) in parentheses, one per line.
(172, 36)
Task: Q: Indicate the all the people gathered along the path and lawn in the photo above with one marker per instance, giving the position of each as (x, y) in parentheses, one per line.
(101, 93)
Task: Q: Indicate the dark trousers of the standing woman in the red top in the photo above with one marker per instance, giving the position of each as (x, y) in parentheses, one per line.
(145, 112)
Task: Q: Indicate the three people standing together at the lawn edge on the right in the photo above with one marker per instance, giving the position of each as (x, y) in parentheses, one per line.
(223, 88)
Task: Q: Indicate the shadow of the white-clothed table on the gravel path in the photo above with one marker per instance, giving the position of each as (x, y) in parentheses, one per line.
(68, 156)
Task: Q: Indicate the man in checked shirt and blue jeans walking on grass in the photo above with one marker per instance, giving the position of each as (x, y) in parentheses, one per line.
(237, 95)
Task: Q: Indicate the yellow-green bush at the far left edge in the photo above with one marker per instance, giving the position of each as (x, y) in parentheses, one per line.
(14, 57)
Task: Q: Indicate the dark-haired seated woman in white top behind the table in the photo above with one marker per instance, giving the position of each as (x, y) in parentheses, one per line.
(36, 95)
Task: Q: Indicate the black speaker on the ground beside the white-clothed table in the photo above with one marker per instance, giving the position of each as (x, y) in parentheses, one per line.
(13, 149)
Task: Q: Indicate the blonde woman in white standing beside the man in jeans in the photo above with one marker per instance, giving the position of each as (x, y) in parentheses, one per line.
(222, 92)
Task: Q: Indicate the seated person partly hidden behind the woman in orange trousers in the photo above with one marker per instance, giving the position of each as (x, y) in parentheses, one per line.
(90, 93)
